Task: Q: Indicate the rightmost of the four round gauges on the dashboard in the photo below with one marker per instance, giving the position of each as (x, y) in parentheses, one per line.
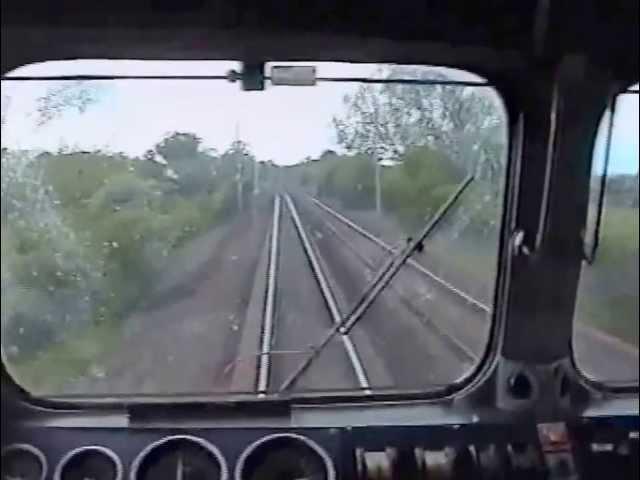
(285, 457)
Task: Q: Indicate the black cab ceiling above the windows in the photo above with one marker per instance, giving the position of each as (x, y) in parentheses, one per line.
(487, 37)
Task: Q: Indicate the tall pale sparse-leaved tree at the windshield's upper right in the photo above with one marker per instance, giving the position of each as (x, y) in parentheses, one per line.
(385, 121)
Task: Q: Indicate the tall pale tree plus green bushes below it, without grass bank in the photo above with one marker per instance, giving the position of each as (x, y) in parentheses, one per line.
(426, 139)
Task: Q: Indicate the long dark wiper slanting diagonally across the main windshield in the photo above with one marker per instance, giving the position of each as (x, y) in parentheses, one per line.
(377, 284)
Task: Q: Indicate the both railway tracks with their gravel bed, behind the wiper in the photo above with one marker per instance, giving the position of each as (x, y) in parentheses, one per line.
(328, 259)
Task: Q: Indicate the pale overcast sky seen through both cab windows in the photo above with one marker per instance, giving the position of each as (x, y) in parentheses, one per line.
(284, 124)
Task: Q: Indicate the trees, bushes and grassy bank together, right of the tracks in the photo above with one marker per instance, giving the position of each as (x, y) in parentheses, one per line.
(425, 140)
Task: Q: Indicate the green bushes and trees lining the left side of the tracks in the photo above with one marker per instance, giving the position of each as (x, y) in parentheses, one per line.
(85, 233)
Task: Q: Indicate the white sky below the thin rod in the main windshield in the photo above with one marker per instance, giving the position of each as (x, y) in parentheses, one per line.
(282, 124)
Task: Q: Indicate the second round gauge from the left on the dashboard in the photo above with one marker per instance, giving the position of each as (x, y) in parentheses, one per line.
(89, 463)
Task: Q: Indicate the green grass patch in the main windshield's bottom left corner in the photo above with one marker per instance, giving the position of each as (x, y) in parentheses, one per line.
(47, 372)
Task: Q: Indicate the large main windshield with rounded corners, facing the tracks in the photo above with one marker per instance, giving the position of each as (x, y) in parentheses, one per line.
(185, 236)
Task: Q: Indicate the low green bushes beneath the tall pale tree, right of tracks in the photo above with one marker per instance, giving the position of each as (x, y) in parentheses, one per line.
(419, 183)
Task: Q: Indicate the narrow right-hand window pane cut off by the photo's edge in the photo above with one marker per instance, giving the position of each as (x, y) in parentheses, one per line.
(606, 333)
